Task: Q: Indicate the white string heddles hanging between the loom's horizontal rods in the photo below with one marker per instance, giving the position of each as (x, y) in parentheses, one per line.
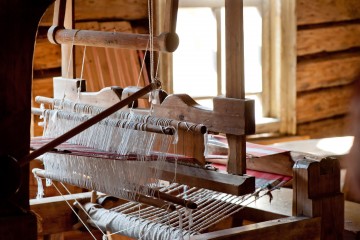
(99, 174)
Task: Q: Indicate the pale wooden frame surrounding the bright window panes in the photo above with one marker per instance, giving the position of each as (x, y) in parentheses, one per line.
(278, 60)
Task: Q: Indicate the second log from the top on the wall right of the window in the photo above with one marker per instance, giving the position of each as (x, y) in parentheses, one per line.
(328, 39)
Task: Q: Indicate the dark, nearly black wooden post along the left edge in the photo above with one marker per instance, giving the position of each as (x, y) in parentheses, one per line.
(19, 20)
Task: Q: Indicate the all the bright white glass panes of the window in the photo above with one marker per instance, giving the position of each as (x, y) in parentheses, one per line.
(195, 61)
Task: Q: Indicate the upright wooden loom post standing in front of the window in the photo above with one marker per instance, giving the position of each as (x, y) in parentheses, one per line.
(235, 78)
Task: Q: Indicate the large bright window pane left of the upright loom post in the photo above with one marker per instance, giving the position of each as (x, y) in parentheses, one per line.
(194, 62)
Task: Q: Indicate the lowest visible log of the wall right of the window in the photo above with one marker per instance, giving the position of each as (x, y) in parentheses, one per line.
(330, 127)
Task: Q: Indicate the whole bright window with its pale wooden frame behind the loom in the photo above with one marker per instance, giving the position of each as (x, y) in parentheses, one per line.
(198, 65)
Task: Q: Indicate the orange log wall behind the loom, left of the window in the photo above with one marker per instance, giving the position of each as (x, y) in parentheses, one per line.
(117, 15)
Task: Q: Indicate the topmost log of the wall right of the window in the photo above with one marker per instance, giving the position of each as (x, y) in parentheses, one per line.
(320, 11)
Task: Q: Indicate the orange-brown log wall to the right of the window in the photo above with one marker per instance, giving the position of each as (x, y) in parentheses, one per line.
(328, 63)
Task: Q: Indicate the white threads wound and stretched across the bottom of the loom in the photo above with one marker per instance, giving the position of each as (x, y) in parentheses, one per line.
(146, 222)
